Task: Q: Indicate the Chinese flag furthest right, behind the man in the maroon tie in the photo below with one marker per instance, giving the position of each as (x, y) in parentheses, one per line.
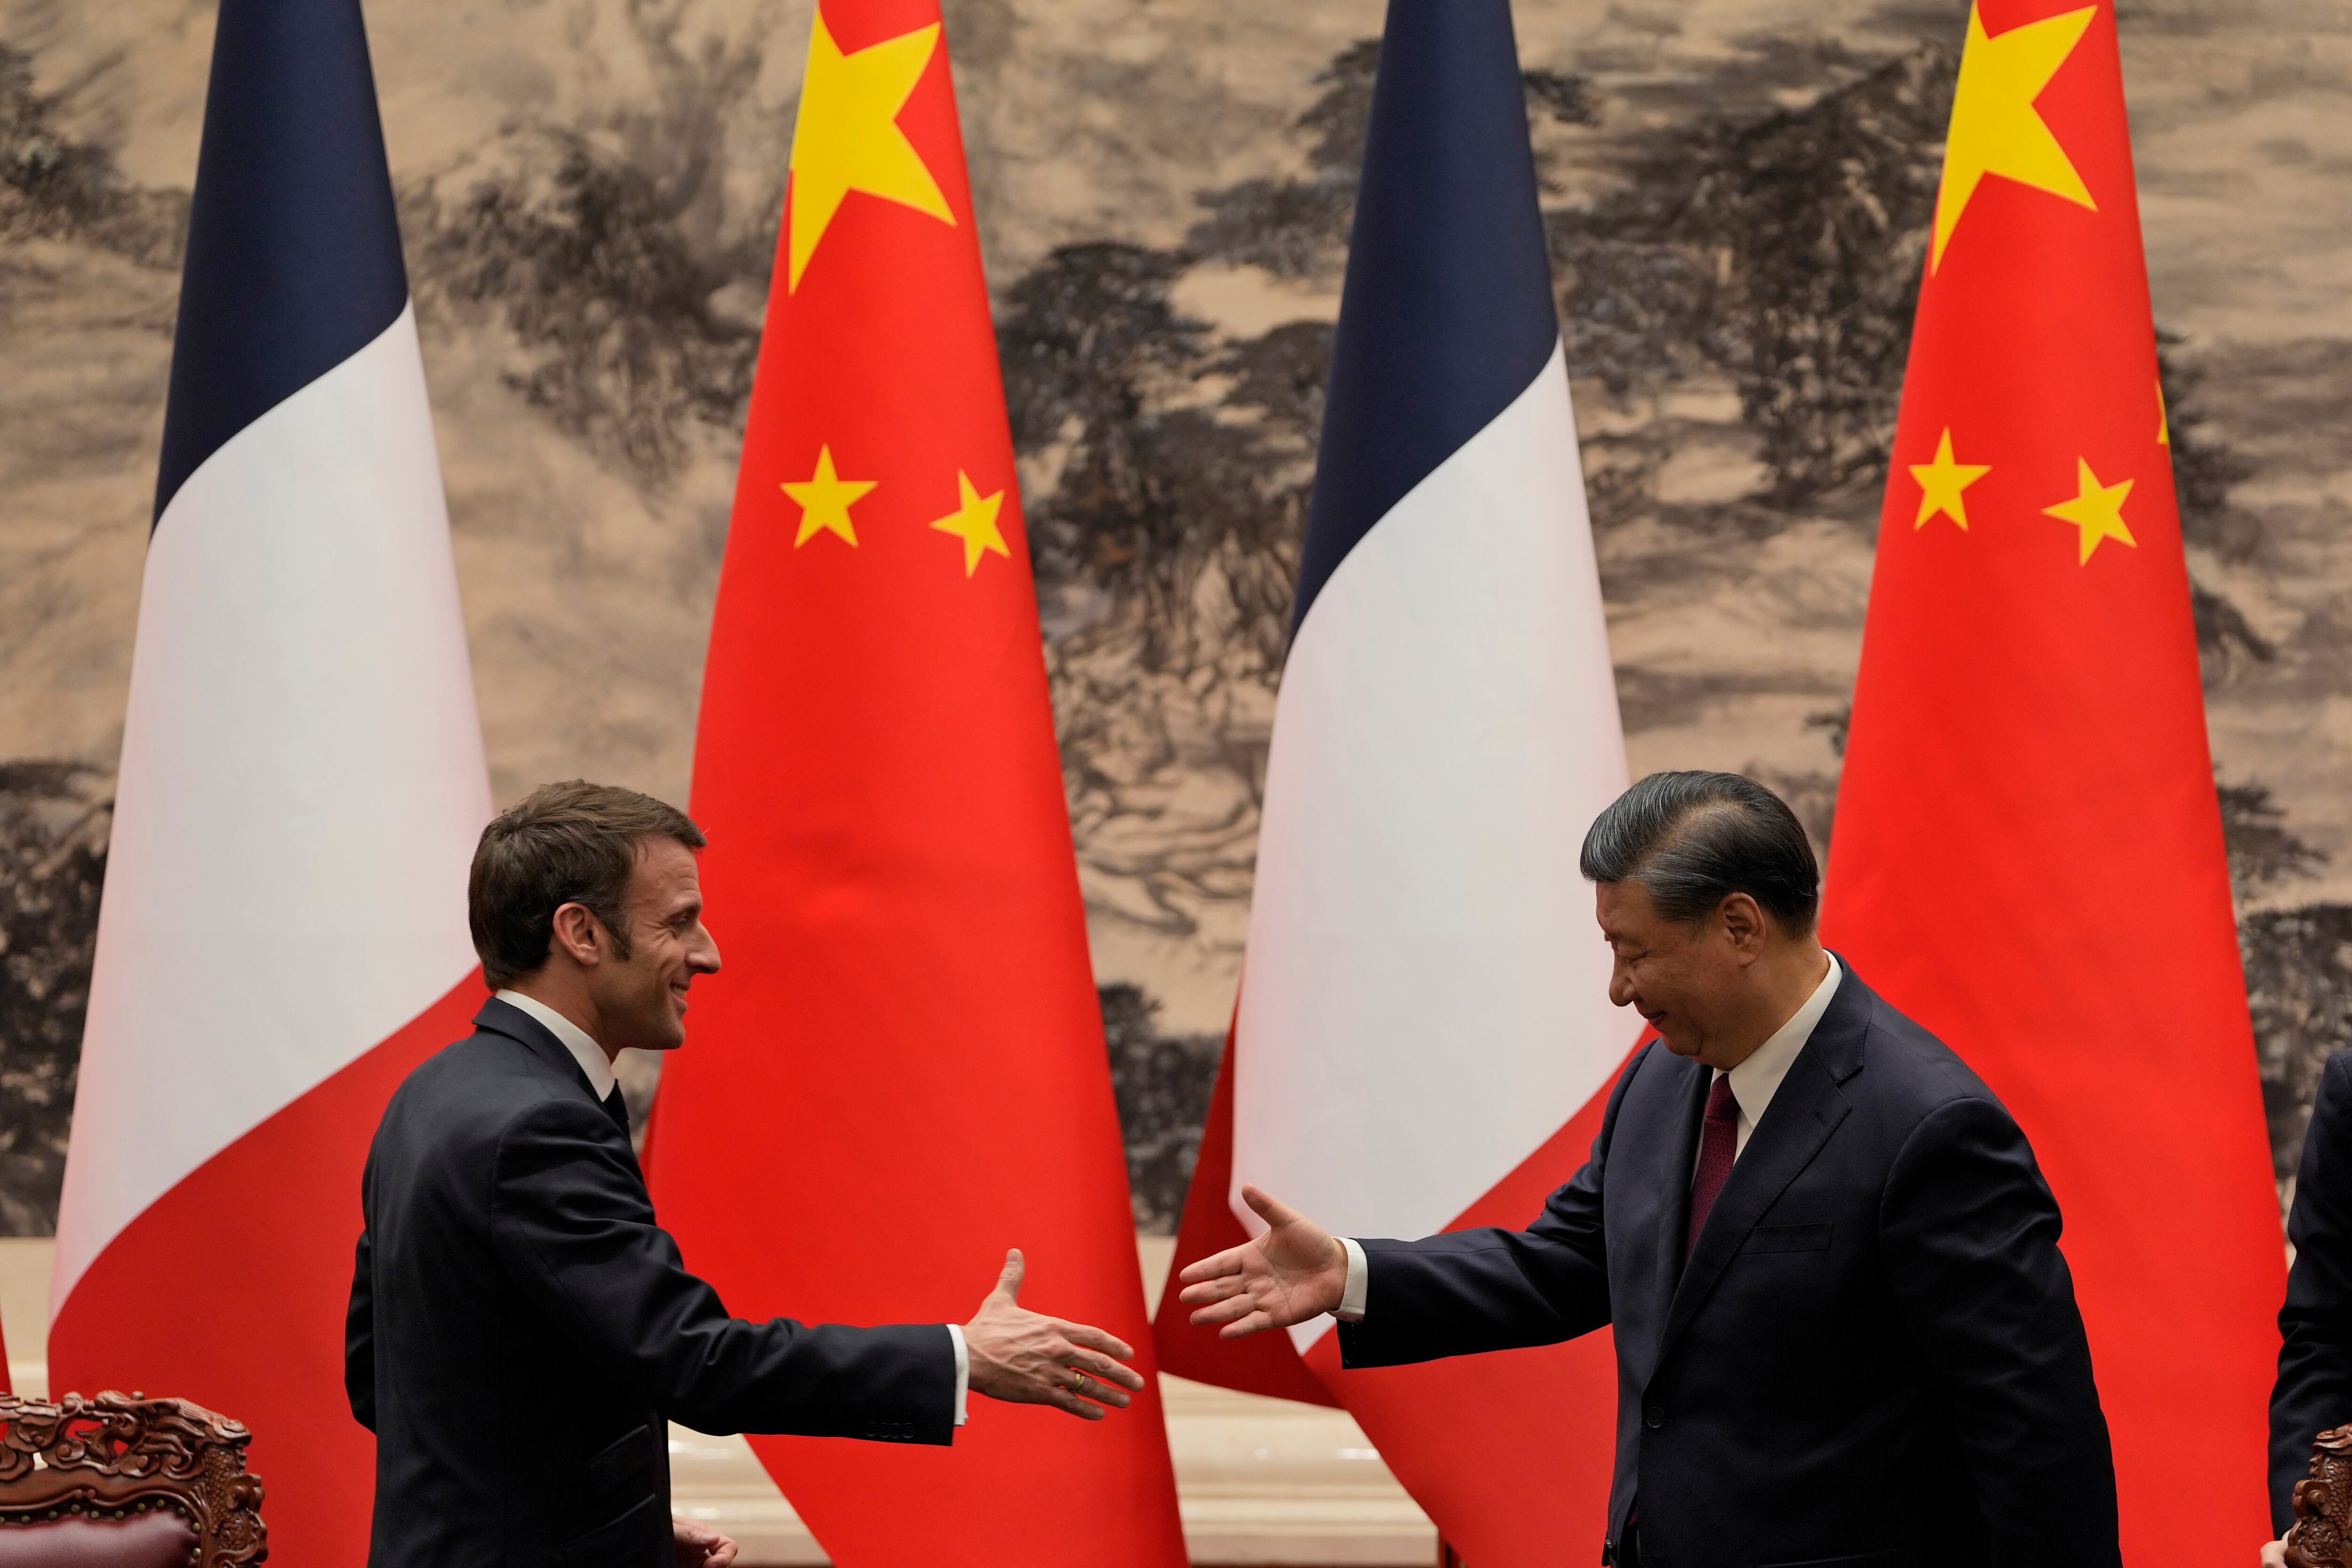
(2029, 850)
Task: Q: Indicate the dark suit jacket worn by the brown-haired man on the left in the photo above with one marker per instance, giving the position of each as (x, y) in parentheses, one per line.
(521, 1327)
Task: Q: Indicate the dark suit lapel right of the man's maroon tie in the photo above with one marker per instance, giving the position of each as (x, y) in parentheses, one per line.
(1803, 1118)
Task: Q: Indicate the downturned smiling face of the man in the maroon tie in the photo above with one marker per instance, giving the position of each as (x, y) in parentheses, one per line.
(1690, 981)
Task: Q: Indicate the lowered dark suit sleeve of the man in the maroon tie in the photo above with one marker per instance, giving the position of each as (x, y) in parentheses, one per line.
(1970, 1233)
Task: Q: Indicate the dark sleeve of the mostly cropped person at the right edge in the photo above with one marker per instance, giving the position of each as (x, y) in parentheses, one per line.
(2316, 1325)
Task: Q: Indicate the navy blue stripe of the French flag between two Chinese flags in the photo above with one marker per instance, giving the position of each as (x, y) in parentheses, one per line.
(1448, 311)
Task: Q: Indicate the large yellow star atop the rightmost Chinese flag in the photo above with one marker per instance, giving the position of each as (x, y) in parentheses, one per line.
(1996, 128)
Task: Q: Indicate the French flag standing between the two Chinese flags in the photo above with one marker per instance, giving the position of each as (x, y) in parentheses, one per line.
(1424, 1033)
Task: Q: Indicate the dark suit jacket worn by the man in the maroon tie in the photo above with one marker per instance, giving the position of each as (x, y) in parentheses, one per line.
(1873, 1358)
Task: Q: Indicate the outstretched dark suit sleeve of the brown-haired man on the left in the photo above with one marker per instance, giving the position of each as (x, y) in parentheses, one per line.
(577, 1235)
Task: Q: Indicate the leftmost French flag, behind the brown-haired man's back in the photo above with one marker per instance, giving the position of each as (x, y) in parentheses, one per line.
(283, 930)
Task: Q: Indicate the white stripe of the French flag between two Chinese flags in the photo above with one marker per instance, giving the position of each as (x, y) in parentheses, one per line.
(1426, 991)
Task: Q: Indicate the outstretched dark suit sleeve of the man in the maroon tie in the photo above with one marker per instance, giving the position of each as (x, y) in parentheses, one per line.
(1469, 1292)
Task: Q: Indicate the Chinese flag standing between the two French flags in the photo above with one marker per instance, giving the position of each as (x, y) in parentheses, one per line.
(902, 1071)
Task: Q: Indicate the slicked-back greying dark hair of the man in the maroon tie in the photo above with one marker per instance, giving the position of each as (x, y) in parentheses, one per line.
(1697, 838)
